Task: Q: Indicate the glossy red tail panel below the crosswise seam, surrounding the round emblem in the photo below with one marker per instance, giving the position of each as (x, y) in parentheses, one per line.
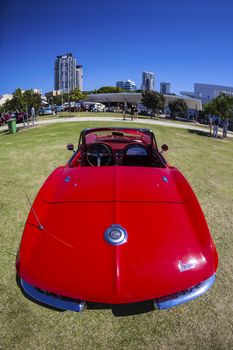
(70, 256)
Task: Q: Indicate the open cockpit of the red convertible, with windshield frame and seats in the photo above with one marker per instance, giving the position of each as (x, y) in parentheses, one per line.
(115, 146)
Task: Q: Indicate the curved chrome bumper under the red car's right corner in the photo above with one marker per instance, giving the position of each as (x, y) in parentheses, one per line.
(185, 296)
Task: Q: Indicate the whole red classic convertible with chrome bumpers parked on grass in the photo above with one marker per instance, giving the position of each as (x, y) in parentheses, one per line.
(117, 224)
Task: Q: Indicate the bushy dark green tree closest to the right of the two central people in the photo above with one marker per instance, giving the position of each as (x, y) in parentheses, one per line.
(153, 100)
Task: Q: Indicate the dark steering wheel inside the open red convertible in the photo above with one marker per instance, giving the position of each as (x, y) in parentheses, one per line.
(98, 154)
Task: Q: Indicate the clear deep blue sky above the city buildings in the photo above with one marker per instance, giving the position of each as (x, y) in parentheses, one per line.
(182, 42)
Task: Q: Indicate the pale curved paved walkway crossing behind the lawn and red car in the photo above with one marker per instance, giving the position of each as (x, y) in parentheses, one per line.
(114, 119)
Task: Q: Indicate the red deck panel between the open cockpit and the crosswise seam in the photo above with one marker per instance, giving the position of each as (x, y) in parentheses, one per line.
(123, 184)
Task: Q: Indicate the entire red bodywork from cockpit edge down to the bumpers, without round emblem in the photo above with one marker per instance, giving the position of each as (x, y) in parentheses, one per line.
(163, 219)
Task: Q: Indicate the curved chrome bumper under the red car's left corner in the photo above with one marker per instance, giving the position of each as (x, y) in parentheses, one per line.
(51, 300)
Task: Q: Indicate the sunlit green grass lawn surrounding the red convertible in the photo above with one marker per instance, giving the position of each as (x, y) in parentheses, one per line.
(26, 159)
